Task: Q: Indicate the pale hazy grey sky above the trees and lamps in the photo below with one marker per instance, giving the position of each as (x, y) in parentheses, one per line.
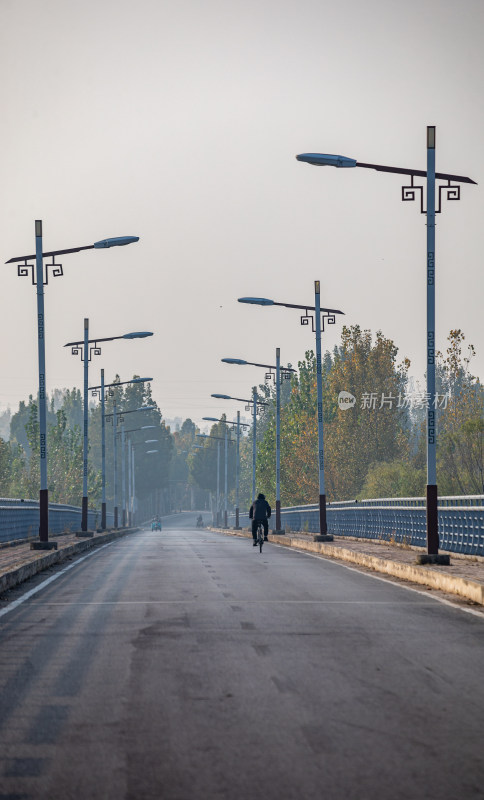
(178, 121)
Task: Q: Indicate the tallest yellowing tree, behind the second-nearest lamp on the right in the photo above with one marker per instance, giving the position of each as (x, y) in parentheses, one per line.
(374, 430)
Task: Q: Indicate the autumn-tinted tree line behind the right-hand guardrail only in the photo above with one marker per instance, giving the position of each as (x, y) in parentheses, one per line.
(375, 446)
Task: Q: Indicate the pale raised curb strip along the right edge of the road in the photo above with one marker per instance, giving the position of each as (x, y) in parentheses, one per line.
(470, 590)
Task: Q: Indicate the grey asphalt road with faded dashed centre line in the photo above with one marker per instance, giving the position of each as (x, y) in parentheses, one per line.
(185, 665)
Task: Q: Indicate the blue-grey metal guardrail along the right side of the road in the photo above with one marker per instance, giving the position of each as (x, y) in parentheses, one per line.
(402, 519)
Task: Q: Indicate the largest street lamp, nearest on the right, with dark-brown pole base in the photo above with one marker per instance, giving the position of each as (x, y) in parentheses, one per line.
(452, 192)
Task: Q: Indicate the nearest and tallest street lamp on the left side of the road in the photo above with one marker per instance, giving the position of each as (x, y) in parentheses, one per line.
(37, 276)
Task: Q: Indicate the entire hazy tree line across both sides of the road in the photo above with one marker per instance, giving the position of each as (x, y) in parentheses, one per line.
(374, 436)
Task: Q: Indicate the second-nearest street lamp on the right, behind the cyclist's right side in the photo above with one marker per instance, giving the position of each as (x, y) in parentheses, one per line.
(317, 319)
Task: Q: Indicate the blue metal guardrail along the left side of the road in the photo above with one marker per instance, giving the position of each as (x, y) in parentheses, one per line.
(19, 519)
